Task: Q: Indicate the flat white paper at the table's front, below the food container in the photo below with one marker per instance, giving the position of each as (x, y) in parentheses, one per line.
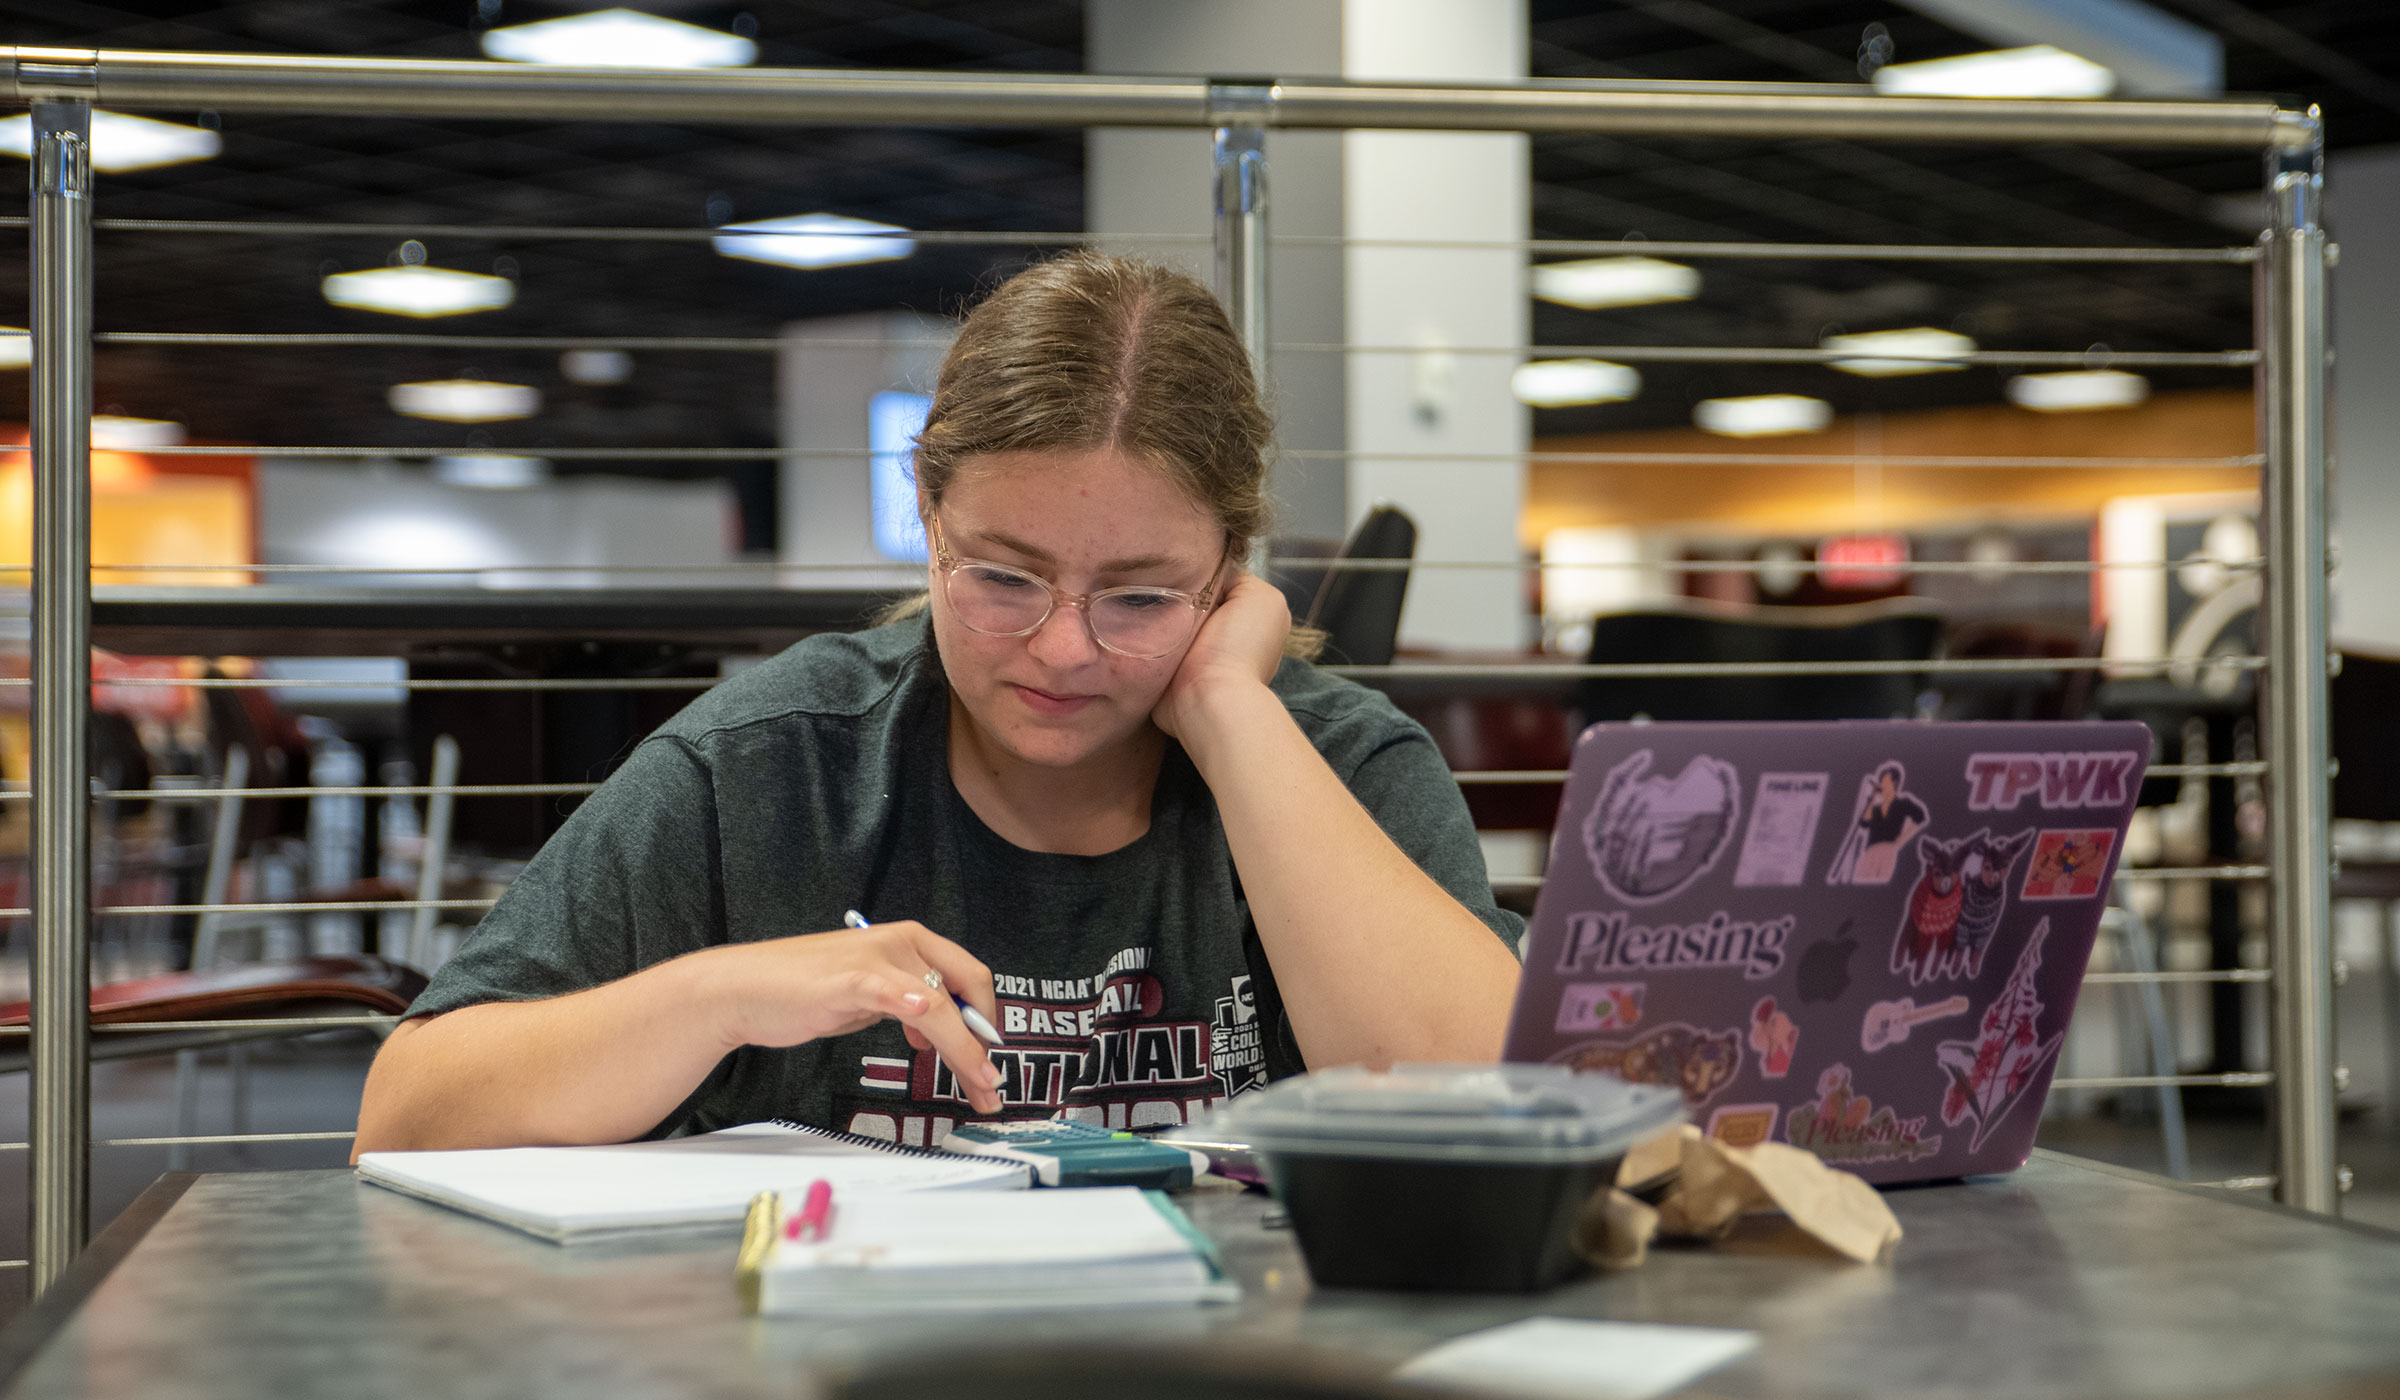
(1576, 1360)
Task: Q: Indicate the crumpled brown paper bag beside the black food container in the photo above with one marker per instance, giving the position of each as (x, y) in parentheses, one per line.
(1720, 1185)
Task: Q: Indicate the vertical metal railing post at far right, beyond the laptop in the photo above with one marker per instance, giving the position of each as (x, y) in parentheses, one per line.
(2293, 424)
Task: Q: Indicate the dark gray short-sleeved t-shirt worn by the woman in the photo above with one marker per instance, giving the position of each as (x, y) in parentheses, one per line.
(1134, 988)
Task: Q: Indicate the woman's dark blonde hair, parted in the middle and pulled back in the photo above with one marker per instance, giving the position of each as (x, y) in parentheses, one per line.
(1108, 352)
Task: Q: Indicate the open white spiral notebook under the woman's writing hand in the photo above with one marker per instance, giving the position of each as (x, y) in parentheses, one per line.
(577, 1195)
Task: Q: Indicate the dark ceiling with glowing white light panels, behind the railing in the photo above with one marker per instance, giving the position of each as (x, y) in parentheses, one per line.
(493, 174)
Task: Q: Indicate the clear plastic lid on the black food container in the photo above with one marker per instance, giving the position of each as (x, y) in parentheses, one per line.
(1446, 1113)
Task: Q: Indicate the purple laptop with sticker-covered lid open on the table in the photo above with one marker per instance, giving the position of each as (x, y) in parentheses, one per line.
(1856, 938)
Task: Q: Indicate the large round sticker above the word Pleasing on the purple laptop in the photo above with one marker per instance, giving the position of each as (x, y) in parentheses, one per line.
(1652, 837)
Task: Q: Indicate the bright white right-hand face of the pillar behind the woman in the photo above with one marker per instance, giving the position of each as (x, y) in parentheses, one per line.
(1458, 186)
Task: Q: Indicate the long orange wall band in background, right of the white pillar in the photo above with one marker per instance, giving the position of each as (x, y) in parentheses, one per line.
(2185, 441)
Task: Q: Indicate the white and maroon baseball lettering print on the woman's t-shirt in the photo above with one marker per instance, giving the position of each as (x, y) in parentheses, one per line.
(1084, 1048)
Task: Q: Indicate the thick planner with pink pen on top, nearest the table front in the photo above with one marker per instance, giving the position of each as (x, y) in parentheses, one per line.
(1033, 1250)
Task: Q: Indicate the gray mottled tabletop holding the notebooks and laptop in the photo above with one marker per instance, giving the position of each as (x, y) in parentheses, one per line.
(2065, 1279)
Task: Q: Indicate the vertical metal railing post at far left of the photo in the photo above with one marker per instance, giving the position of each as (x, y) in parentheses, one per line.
(61, 1125)
